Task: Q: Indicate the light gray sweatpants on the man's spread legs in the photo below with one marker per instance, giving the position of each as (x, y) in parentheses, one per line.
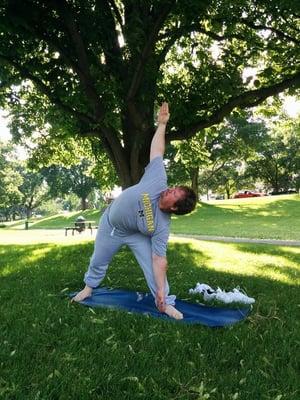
(107, 243)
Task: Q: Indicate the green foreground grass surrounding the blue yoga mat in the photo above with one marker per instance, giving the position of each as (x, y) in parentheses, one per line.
(52, 349)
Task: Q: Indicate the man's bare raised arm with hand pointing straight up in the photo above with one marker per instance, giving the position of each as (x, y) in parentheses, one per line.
(158, 141)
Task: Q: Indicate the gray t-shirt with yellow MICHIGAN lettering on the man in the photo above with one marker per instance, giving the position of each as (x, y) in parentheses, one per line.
(136, 209)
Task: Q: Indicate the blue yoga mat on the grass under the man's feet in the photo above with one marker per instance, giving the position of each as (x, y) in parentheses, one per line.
(144, 303)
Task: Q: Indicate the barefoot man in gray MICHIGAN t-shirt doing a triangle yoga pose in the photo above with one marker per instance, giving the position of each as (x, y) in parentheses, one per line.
(140, 218)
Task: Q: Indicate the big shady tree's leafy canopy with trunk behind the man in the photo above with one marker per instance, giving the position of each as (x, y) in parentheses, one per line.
(96, 69)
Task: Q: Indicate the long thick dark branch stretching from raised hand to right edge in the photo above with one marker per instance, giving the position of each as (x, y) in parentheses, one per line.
(248, 99)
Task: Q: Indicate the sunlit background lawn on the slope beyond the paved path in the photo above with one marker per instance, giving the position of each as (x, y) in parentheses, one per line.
(272, 217)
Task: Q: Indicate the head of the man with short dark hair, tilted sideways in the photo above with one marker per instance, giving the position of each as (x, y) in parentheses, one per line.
(178, 200)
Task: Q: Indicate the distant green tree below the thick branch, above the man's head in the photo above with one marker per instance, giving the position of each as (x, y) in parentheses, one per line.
(206, 159)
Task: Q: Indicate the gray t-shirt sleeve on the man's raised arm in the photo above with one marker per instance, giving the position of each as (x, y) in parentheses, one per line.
(155, 174)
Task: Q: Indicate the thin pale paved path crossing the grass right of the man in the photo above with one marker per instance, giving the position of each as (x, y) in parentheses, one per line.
(240, 240)
